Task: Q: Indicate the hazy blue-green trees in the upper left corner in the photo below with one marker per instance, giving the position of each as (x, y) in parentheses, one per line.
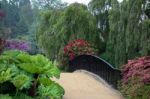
(19, 17)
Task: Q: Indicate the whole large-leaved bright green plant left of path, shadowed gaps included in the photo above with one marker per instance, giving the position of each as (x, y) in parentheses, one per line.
(23, 76)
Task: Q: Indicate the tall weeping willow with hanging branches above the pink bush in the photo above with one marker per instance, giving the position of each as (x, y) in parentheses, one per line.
(129, 35)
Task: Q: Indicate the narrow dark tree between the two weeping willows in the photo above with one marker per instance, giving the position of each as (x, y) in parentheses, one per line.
(100, 9)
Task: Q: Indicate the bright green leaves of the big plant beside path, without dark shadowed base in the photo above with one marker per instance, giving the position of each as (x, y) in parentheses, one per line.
(19, 68)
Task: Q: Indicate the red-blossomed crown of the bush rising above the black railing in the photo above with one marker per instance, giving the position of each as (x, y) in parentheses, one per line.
(78, 47)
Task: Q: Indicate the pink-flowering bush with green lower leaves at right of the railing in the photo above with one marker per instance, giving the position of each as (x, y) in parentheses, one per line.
(136, 79)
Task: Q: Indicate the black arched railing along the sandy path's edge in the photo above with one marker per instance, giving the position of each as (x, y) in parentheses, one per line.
(97, 66)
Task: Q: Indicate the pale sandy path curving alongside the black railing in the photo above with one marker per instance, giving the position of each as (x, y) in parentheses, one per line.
(85, 85)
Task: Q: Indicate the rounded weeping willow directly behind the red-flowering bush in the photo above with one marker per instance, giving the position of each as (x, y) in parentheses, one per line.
(58, 27)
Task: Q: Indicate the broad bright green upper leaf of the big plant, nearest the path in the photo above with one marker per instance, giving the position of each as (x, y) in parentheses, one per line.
(40, 65)
